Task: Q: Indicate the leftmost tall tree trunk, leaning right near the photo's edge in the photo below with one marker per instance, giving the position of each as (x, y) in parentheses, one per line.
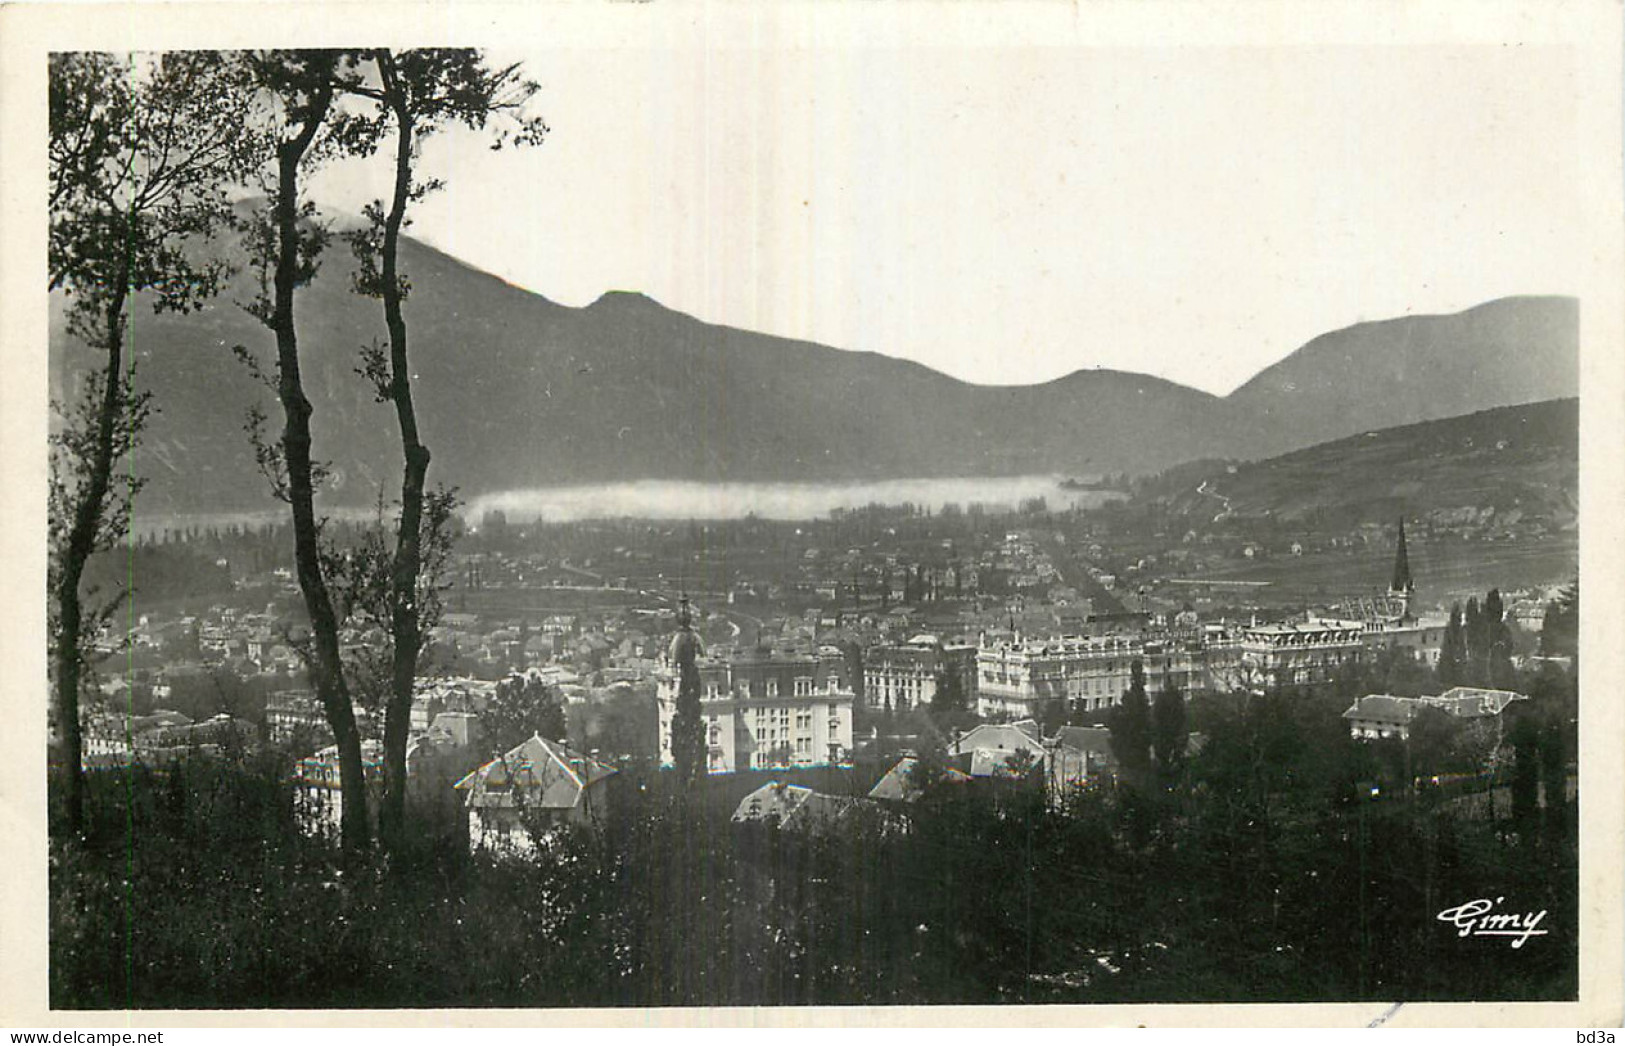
(82, 543)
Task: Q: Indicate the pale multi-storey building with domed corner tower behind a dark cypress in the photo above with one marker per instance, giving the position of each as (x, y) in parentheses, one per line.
(766, 709)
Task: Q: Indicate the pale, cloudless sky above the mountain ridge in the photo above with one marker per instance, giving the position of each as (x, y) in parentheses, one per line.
(1012, 214)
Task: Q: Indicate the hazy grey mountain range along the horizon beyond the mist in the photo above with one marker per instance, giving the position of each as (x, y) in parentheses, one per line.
(516, 392)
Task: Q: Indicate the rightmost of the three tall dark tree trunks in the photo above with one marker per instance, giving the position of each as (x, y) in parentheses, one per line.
(405, 612)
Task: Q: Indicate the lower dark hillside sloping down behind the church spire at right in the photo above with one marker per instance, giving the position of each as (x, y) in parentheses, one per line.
(1517, 465)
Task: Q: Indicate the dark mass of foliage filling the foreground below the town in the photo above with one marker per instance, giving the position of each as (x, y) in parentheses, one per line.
(1260, 880)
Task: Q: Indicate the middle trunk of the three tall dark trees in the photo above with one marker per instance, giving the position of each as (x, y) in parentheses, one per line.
(327, 672)
